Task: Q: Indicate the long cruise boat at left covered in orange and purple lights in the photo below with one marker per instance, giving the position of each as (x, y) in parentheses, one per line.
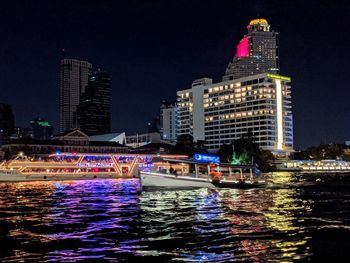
(74, 166)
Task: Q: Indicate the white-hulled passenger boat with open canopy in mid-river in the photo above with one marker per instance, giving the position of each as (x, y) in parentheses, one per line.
(175, 173)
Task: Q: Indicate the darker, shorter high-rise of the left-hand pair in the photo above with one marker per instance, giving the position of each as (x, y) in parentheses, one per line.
(94, 110)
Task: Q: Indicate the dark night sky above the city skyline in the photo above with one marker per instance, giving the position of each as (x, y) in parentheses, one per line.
(154, 48)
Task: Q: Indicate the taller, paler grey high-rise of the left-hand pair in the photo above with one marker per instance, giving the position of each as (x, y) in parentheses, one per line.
(74, 79)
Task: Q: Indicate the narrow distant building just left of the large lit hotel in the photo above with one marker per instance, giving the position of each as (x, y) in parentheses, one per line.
(168, 121)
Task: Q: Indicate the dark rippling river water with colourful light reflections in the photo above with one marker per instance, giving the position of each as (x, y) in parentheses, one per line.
(297, 218)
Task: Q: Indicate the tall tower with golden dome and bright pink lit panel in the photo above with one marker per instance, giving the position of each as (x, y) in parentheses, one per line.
(257, 52)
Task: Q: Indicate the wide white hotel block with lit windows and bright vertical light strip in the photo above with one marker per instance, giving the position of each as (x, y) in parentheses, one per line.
(222, 112)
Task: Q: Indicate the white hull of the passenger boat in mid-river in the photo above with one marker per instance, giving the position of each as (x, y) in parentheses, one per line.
(158, 180)
